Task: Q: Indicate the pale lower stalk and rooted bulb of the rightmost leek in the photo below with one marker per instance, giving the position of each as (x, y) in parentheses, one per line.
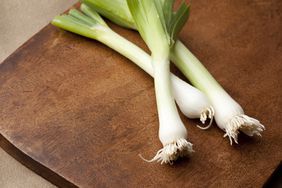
(229, 115)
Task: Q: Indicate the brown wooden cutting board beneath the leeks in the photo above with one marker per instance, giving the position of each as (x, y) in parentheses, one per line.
(85, 113)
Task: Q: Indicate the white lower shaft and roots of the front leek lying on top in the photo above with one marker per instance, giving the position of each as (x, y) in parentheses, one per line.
(172, 132)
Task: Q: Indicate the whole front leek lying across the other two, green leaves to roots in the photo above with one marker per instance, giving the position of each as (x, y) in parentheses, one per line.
(158, 25)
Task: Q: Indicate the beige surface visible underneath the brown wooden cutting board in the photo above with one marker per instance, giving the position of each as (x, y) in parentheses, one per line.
(16, 28)
